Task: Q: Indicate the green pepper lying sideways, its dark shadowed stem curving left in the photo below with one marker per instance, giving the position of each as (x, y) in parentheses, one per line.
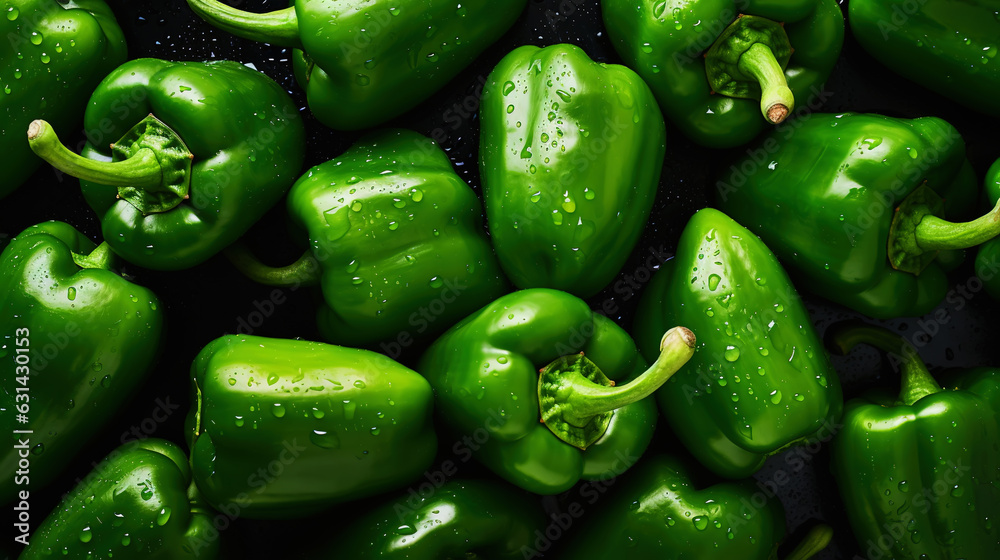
(396, 243)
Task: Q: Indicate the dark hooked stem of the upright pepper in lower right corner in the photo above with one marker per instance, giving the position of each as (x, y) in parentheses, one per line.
(917, 382)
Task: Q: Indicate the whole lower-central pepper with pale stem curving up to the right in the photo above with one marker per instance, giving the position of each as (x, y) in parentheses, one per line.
(535, 369)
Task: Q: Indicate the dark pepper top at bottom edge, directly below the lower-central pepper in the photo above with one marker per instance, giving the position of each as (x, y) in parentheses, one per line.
(460, 519)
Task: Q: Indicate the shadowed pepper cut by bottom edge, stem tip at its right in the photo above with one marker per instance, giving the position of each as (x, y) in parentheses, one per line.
(659, 513)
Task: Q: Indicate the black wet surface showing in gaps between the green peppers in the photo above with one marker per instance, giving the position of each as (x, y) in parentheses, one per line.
(213, 299)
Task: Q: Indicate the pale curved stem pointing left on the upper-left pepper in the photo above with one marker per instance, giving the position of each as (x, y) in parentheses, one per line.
(142, 170)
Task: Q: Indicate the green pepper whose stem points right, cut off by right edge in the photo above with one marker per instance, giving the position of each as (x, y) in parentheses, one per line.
(851, 204)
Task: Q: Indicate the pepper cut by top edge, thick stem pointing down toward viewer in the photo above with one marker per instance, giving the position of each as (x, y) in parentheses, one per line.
(672, 45)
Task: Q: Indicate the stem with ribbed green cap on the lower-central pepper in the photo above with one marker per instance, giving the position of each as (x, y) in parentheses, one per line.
(577, 400)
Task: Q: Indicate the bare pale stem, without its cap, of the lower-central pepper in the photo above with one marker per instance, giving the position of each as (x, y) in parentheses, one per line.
(588, 399)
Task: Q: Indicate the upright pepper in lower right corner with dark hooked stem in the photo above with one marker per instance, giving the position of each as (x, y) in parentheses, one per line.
(917, 470)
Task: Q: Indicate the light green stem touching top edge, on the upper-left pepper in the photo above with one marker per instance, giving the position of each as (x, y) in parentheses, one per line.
(280, 27)
